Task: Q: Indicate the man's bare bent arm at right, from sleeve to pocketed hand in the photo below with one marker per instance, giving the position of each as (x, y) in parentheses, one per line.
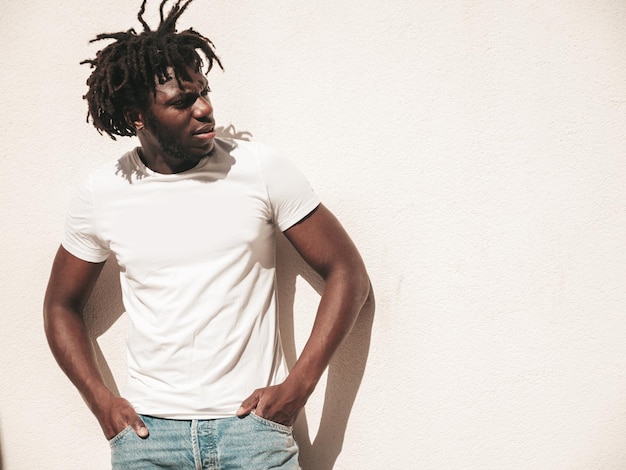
(326, 247)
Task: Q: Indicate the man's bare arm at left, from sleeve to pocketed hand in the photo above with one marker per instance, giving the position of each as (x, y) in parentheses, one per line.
(71, 282)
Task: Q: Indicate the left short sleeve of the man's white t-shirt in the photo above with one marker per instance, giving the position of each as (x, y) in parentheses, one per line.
(80, 237)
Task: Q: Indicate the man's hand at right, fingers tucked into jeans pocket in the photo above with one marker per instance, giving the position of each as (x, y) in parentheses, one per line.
(279, 403)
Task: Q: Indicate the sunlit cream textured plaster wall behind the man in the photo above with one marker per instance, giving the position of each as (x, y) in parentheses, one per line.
(475, 150)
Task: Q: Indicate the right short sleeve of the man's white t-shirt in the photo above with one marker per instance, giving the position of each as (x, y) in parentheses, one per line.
(291, 196)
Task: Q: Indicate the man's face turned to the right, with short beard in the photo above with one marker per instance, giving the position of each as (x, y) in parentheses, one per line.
(179, 122)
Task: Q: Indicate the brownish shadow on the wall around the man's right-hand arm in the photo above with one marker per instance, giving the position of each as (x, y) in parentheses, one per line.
(345, 371)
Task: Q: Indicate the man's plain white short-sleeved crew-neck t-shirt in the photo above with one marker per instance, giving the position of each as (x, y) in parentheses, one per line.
(197, 257)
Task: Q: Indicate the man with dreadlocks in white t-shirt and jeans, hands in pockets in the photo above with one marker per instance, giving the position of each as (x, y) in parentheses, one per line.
(191, 220)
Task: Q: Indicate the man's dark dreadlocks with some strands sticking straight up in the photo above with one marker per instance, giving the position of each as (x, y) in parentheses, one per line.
(126, 71)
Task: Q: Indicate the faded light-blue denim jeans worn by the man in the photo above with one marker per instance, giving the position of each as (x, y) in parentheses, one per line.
(249, 443)
